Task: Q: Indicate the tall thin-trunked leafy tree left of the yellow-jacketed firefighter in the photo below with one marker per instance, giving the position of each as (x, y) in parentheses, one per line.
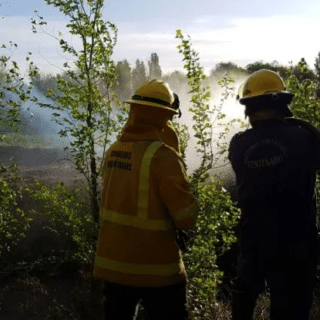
(84, 103)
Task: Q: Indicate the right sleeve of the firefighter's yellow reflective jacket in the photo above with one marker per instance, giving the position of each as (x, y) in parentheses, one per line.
(175, 190)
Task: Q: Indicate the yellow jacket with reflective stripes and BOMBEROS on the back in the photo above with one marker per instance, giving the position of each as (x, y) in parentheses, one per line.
(144, 182)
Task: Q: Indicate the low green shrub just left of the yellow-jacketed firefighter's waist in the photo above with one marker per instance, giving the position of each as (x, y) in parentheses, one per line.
(68, 215)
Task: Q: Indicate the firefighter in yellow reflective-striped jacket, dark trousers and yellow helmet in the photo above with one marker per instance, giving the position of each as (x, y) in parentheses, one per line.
(145, 197)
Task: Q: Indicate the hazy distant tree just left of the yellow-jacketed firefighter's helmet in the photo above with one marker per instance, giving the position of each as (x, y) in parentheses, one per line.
(123, 87)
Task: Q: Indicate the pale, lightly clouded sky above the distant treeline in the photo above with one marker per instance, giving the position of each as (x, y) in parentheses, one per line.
(241, 31)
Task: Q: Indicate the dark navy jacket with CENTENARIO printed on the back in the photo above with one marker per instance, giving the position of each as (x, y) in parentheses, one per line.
(275, 163)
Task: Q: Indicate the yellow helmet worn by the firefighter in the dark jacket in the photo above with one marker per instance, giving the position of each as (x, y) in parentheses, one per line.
(263, 83)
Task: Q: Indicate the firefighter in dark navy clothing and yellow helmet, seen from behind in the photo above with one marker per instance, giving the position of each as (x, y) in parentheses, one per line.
(275, 163)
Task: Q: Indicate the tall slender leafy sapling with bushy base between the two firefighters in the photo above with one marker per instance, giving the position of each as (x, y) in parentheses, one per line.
(214, 230)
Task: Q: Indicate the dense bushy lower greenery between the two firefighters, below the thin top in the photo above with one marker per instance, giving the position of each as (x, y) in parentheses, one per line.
(213, 237)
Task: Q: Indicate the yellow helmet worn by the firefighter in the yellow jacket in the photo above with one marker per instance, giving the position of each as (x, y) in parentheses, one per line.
(156, 93)
